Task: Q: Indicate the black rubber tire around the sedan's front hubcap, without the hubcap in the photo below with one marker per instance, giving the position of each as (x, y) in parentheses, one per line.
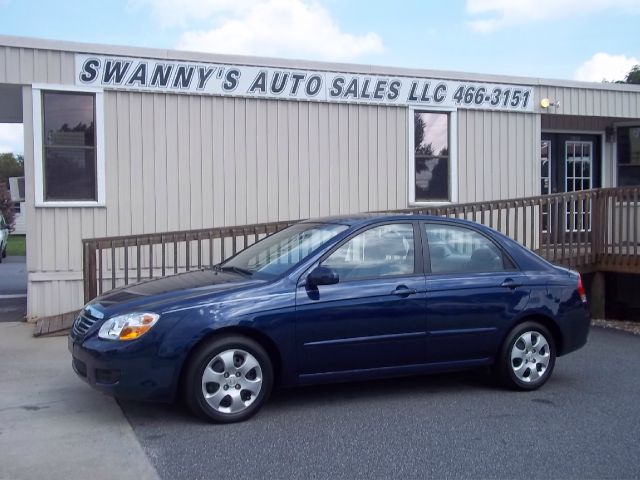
(201, 359)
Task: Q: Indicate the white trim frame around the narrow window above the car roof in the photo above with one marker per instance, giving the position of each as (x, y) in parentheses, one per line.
(453, 156)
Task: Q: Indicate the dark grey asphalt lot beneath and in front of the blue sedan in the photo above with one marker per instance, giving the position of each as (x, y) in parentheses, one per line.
(584, 422)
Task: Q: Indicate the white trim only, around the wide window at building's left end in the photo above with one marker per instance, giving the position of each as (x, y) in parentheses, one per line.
(38, 160)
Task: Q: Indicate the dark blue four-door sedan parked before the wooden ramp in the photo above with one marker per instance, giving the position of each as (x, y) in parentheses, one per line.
(334, 299)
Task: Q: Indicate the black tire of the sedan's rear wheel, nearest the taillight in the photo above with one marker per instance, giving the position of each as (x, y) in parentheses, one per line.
(506, 368)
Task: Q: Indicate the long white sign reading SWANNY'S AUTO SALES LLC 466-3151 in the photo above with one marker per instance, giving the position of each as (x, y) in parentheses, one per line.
(127, 73)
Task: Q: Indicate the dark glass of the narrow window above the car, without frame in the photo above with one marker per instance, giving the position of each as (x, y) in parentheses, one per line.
(432, 162)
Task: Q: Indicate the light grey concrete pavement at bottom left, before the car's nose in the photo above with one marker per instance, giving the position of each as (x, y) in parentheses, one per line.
(53, 425)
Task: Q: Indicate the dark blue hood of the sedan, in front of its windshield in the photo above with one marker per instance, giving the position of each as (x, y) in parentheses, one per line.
(168, 292)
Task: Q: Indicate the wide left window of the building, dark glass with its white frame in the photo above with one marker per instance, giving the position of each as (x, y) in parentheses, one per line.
(68, 146)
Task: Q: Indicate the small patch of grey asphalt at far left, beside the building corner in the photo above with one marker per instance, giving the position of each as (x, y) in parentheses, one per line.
(13, 289)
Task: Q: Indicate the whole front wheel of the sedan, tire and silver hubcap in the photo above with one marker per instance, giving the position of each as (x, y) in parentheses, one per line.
(228, 379)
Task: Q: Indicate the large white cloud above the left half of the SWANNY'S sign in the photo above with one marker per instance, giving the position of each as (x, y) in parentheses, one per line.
(283, 28)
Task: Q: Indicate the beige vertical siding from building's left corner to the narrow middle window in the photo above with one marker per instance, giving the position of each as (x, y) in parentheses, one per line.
(186, 162)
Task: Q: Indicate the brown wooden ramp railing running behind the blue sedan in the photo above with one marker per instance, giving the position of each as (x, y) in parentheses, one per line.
(587, 230)
